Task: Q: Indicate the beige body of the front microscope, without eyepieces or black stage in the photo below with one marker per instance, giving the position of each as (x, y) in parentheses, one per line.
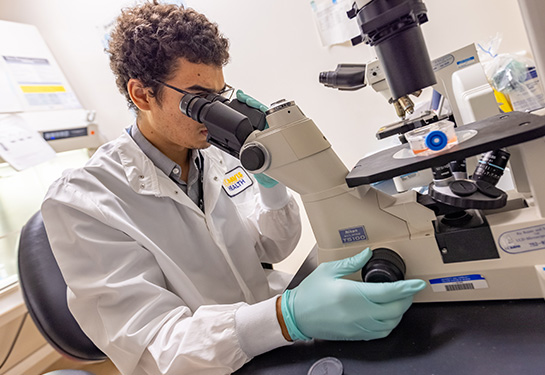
(501, 258)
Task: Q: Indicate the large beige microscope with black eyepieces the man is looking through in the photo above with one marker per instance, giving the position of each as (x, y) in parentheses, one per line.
(468, 239)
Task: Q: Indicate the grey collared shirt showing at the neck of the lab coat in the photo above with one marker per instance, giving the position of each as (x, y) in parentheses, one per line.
(169, 167)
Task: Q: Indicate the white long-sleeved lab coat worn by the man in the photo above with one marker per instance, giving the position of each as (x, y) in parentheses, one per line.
(160, 287)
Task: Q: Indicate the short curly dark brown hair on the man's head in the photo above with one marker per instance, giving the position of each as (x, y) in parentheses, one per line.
(148, 39)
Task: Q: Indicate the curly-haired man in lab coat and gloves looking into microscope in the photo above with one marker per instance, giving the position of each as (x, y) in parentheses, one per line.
(162, 262)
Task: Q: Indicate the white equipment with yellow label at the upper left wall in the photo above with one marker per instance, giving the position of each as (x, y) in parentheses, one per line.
(35, 92)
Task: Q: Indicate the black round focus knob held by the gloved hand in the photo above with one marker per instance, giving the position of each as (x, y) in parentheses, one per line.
(384, 266)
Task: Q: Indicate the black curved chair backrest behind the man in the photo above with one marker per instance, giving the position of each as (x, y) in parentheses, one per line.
(44, 292)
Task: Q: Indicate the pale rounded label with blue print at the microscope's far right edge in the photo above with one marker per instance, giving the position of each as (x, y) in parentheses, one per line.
(523, 240)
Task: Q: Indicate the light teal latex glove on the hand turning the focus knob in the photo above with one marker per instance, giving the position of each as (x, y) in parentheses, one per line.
(325, 306)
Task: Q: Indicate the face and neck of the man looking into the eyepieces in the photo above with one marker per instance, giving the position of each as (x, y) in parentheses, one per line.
(164, 125)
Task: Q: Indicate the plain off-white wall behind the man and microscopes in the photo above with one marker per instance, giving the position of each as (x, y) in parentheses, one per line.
(276, 53)
